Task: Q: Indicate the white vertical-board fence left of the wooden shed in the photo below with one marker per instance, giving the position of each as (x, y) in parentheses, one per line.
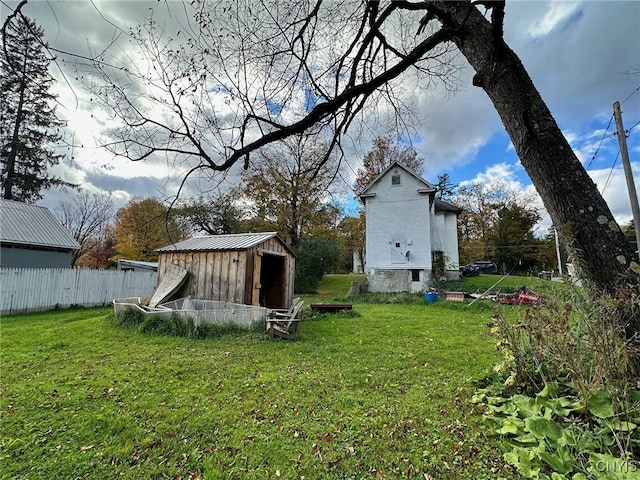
(25, 290)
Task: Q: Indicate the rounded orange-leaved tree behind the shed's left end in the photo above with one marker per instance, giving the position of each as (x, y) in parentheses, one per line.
(143, 226)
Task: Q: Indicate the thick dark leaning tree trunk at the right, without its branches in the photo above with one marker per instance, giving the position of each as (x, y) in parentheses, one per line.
(585, 223)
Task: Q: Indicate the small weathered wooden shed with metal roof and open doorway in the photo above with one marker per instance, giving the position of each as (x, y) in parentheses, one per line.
(246, 268)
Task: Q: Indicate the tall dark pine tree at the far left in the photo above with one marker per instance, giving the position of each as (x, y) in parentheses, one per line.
(29, 128)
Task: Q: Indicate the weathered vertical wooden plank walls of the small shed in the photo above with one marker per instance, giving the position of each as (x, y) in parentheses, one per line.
(229, 275)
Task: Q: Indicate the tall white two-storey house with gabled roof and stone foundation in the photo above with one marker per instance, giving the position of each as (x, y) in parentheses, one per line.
(411, 237)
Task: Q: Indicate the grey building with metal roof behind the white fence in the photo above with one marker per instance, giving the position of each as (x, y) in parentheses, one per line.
(31, 237)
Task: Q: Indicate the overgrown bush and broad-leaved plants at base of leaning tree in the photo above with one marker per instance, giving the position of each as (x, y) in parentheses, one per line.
(566, 397)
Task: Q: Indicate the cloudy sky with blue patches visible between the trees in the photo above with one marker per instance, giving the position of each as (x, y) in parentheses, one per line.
(582, 56)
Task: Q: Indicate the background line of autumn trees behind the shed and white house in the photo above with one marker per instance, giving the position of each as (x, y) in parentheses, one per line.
(291, 191)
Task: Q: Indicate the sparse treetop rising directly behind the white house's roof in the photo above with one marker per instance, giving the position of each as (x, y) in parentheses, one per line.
(382, 154)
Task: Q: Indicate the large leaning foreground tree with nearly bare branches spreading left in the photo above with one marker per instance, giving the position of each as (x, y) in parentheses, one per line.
(259, 72)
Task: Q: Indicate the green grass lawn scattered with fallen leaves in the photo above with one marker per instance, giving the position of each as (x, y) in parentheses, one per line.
(382, 393)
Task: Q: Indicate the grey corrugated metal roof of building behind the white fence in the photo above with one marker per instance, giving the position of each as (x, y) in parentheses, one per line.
(25, 224)
